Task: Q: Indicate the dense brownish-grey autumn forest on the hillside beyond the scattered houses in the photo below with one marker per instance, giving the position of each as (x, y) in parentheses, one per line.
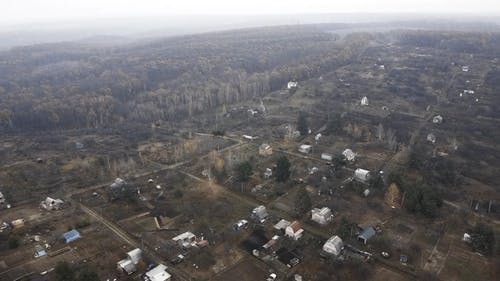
(73, 85)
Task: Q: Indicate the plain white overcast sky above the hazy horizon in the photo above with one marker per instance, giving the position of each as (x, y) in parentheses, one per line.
(27, 11)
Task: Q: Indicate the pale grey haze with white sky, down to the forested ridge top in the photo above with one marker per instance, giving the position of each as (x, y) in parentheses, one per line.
(25, 22)
